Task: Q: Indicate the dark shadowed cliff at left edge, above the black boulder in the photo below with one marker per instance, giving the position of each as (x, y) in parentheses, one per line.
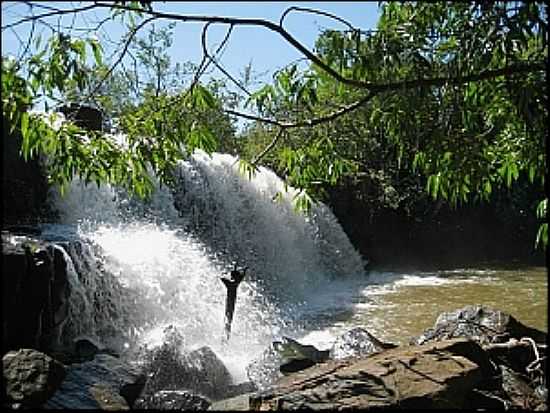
(24, 184)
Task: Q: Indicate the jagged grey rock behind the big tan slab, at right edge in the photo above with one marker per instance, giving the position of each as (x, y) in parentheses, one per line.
(481, 324)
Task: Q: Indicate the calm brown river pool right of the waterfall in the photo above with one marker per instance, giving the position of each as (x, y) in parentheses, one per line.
(397, 306)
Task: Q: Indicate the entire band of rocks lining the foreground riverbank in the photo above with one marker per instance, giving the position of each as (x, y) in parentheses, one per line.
(474, 358)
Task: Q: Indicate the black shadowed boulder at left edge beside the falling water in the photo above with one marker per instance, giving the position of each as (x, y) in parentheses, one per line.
(35, 293)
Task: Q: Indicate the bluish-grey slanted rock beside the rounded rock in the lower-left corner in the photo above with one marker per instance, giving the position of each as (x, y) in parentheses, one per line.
(98, 384)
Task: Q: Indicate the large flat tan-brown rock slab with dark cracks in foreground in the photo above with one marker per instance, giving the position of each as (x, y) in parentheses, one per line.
(431, 376)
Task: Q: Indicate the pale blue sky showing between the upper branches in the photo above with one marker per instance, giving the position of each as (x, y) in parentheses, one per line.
(266, 50)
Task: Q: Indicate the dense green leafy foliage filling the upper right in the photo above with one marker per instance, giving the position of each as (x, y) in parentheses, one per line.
(463, 139)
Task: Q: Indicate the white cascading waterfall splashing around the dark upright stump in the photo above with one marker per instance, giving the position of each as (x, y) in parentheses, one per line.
(167, 255)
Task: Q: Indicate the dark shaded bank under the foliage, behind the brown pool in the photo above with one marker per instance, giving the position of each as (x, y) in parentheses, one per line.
(437, 237)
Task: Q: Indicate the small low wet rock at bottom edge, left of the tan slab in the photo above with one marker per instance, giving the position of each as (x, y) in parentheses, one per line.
(173, 400)
